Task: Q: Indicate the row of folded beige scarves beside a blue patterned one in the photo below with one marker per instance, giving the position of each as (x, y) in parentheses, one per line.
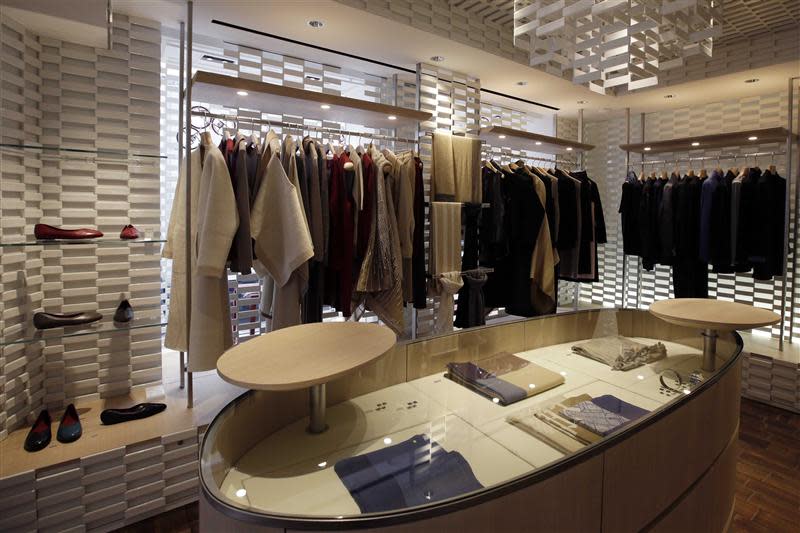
(578, 421)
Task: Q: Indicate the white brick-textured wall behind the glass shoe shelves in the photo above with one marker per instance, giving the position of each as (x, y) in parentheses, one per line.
(66, 95)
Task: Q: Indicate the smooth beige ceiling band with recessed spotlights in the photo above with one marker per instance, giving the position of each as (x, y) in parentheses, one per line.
(365, 34)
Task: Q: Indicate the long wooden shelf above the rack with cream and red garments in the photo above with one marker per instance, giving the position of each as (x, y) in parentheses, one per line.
(208, 87)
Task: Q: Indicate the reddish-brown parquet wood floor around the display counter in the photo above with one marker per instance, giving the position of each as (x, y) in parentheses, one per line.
(767, 478)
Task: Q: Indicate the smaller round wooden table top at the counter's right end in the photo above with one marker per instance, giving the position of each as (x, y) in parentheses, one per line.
(712, 314)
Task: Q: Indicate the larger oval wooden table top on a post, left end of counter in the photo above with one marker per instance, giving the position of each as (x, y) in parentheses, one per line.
(305, 355)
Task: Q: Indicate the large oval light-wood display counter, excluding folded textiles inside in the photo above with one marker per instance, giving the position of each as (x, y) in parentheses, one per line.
(674, 469)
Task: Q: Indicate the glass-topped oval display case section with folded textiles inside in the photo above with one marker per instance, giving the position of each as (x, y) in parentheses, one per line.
(454, 421)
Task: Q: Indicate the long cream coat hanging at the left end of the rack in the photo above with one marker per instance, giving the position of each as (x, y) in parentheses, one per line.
(214, 221)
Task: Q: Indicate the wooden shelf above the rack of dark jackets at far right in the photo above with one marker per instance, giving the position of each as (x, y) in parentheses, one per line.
(719, 140)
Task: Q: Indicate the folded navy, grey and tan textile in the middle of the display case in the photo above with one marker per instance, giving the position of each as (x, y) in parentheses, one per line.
(503, 377)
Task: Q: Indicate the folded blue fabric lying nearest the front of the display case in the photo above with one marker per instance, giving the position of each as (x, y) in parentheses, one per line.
(414, 472)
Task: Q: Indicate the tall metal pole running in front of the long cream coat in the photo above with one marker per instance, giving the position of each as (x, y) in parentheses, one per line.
(188, 182)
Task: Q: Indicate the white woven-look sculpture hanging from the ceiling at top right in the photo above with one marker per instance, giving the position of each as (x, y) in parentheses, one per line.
(610, 43)
